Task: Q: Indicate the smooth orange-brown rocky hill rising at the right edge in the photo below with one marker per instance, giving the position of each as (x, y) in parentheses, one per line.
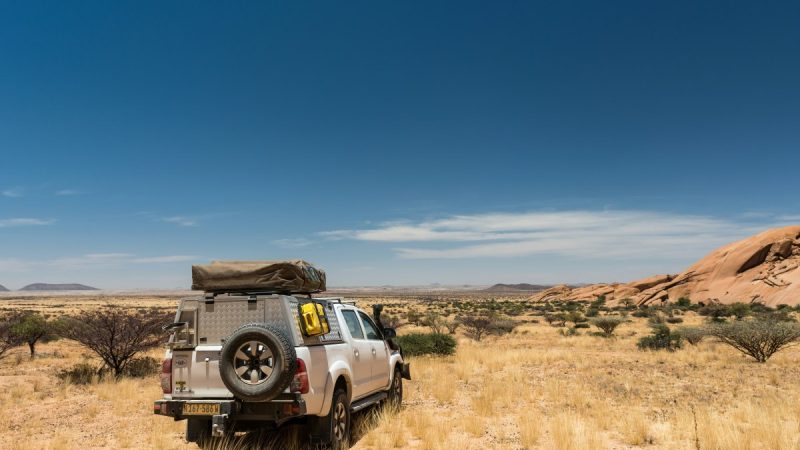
(763, 268)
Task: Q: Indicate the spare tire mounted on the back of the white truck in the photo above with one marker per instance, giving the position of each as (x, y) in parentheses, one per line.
(257, 362)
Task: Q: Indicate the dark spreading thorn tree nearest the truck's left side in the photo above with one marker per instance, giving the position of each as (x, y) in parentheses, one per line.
(117, 335)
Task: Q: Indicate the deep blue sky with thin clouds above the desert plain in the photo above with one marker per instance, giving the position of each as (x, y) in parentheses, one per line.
(392, 142)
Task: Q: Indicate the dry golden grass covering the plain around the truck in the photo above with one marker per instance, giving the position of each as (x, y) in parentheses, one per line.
(531, 389)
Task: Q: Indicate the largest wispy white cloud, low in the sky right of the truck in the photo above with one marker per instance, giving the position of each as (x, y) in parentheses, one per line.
(571, 233)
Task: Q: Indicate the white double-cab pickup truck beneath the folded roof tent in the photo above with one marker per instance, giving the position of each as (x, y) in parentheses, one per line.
(242, 362)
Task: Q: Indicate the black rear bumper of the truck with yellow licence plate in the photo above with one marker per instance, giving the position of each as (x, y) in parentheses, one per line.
(283, 408)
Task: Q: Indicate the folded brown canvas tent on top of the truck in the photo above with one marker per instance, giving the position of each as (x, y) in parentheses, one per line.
(284, 277)
